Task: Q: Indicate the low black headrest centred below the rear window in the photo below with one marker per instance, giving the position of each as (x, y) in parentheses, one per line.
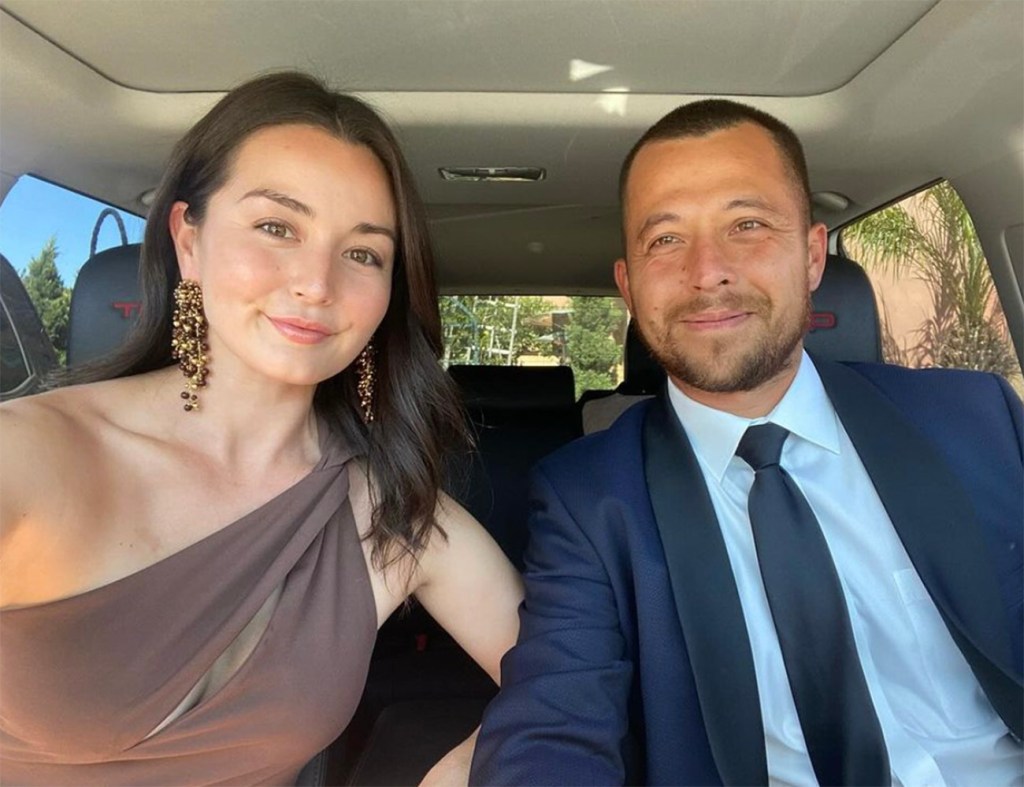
(515, 388)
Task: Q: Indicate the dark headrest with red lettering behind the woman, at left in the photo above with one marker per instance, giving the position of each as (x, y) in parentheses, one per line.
(105, 304)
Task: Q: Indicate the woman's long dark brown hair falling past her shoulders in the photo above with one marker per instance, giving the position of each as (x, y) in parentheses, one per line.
(418, 417)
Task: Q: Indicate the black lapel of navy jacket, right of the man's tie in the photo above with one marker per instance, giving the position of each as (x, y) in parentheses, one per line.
(938, 528)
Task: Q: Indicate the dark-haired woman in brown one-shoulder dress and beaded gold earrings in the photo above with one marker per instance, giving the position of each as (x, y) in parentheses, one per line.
(194, 569)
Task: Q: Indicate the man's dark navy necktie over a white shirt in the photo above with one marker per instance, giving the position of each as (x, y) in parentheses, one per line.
(843, 735)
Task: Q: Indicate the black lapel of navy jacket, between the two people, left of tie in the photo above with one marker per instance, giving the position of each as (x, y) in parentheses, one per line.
(707, 600)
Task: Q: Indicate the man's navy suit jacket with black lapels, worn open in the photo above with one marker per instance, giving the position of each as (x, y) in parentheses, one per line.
(633, 664)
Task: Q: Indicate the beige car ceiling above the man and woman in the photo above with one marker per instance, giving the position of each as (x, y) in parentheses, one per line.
(886, 95)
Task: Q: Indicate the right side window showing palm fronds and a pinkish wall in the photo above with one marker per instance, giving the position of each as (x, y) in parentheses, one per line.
(938, 303)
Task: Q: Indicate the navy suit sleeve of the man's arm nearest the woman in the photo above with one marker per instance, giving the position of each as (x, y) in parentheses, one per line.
(561, 718)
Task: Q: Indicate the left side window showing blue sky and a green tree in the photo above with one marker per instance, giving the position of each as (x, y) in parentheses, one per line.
(47, 233)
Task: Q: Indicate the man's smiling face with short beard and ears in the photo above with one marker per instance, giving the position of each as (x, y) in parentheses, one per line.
(720, 263)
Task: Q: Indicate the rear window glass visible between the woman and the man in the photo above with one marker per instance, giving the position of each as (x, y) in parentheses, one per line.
(583, 332)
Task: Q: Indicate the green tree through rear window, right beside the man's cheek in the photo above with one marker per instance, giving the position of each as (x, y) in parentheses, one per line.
(594, 341)
